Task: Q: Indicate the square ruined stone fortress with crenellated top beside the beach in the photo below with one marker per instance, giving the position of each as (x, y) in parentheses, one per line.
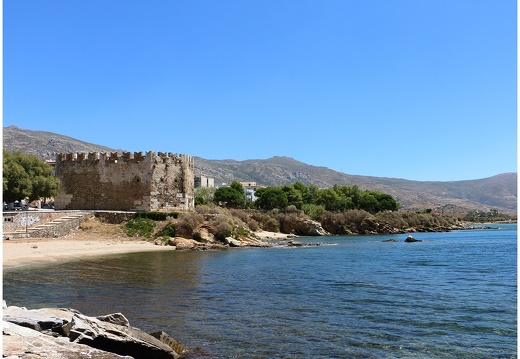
(125, 181)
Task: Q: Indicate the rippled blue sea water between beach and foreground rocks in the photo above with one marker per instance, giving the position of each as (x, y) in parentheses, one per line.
(452, 295)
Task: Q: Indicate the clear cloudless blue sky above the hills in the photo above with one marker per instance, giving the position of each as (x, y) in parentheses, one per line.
(415, 89)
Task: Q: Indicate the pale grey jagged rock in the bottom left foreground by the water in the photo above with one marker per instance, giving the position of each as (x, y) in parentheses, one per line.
(66, 333)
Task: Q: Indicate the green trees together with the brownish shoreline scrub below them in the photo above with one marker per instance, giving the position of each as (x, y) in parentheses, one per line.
(340, 210)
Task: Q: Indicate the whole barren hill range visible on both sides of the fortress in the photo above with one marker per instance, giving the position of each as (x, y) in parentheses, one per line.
(498, 192)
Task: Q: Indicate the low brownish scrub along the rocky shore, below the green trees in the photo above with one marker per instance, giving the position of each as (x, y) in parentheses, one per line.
(215, 223)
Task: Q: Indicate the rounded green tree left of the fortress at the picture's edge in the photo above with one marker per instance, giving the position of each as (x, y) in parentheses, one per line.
(27, 176)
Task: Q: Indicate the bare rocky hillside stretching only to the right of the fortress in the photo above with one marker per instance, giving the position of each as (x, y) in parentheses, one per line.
(498, 192)
